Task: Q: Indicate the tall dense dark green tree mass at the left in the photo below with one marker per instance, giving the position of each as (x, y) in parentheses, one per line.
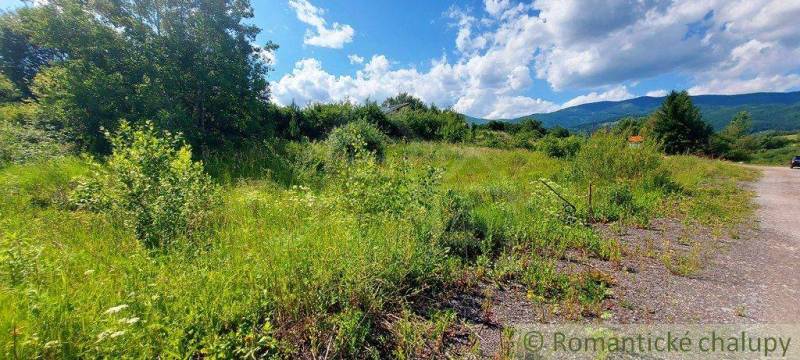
(189, 66)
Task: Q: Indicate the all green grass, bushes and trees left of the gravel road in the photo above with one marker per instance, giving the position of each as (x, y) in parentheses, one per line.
(143, 217)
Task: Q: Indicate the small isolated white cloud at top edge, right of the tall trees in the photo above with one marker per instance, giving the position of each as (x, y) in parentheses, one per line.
(334, 36)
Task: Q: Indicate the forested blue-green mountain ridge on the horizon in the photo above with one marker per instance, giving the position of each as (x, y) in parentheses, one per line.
(770, 111)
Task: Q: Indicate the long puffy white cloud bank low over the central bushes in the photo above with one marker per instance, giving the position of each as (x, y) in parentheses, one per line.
(309, 83)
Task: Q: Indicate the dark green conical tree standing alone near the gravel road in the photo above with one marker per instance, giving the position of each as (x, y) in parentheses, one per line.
(678, 126)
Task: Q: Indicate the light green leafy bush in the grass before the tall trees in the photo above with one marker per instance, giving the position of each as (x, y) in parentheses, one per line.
(152, 184)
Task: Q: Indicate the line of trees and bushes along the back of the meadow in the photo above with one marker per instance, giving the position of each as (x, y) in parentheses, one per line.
(73, 69)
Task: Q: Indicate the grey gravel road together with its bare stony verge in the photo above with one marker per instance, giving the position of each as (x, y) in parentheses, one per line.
(748, 275)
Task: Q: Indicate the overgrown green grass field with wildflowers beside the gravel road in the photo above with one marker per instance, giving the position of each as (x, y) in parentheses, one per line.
(308, 255)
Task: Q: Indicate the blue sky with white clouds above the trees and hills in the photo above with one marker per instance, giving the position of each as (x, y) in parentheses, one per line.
(505, 58)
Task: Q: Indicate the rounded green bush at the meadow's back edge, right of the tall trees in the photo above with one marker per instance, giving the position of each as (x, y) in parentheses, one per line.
(348, 140)
